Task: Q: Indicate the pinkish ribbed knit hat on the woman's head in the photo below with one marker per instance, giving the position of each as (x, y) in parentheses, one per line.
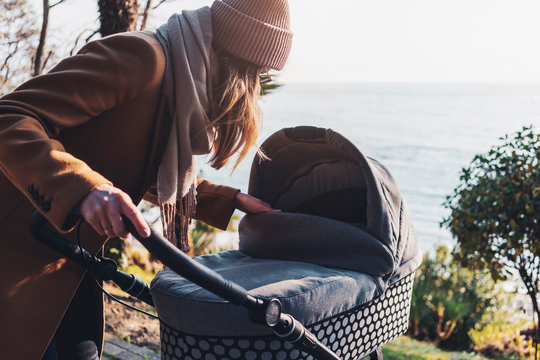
(257, 31)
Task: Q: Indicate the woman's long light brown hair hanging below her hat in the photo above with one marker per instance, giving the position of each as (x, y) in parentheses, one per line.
(236, 115)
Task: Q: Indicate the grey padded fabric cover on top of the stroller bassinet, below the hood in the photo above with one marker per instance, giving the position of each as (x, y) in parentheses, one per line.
(309, 292)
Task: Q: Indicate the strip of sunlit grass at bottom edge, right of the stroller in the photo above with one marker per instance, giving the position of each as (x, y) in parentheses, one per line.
(405, 348)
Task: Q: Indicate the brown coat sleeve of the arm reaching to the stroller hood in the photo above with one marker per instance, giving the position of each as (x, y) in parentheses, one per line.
(215, 203)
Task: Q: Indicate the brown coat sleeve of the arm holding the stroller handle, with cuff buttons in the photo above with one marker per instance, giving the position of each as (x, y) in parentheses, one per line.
(103, 74)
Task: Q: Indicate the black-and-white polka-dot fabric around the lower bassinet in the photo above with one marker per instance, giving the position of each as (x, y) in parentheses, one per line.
(351, 335)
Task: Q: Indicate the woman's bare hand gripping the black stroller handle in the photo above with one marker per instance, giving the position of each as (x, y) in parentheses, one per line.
(103, 208)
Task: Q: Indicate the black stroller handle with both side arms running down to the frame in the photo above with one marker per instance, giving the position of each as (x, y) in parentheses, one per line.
(266, 312)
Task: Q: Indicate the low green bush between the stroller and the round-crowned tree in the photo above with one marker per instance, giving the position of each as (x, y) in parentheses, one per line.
(449, 300)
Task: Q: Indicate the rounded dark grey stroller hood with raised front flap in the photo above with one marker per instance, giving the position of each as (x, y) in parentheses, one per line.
(339, 208)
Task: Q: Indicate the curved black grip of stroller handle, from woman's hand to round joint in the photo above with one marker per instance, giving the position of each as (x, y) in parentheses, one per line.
(195, 272)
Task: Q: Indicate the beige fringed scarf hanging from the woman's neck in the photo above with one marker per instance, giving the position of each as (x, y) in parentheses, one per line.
(187, 41)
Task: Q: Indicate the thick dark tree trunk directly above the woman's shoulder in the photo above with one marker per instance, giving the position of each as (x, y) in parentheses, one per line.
(117, 16)
